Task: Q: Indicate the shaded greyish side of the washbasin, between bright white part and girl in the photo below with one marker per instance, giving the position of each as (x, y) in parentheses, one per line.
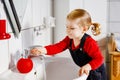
(61, 68)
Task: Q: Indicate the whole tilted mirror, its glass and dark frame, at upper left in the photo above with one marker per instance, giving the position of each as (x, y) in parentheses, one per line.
(15, 13)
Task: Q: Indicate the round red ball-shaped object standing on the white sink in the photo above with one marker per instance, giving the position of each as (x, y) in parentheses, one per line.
(24, 65)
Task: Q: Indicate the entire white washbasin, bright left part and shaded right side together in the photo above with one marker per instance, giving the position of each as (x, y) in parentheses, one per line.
(46, 68)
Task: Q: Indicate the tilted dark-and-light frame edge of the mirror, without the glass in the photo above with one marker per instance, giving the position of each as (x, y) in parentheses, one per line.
(12, 16)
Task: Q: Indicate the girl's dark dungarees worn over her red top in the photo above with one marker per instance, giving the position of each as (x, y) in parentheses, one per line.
(80, 57)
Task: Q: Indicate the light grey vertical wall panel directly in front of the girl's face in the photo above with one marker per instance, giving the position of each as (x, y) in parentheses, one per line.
(61, 8)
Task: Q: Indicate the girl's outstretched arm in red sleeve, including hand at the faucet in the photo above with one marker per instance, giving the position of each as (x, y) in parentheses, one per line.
(52, 49)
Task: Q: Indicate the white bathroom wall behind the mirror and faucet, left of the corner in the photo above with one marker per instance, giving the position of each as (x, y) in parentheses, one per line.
(33, 31)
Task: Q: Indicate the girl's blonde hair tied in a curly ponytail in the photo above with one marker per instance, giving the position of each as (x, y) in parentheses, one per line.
(85, 20)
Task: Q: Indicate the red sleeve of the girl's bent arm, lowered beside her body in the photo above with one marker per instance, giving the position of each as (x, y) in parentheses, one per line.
(91, 47)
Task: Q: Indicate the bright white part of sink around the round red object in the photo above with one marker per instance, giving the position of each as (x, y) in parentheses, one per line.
(37, 73)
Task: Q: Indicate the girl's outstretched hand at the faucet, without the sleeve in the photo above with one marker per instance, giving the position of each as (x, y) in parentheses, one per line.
(38, 51)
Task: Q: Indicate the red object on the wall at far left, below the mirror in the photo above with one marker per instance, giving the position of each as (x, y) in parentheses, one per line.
(3, 34)
